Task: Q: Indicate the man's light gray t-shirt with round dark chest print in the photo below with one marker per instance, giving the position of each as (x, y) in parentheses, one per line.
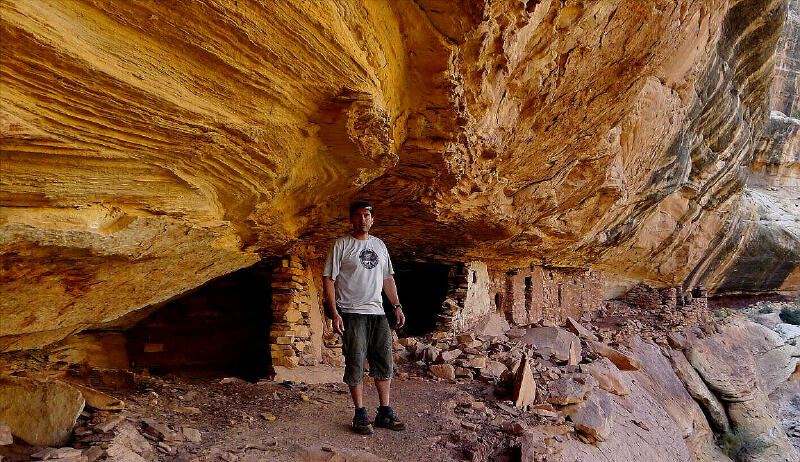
(358, 268)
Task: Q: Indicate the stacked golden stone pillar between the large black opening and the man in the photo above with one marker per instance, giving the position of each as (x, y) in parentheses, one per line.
(290, 332)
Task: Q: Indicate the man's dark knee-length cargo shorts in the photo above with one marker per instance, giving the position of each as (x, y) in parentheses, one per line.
(366, 336)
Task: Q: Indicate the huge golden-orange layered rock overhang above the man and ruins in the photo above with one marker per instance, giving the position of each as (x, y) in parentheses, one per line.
(150, 147)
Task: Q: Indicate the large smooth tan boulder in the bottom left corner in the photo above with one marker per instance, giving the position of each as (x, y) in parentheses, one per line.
(40, 413)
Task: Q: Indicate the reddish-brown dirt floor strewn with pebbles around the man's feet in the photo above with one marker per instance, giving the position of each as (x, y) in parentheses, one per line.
(234, 417)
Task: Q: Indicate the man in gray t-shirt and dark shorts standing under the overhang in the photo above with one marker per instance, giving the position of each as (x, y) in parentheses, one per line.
(357, 269)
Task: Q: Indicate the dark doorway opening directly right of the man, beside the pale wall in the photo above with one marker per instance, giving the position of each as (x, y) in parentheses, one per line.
(422, 288)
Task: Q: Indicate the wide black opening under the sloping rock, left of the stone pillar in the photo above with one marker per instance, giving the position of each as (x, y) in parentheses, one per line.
(219, 329)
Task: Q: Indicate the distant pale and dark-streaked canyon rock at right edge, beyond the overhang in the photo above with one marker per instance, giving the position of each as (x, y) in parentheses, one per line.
(763, 245)
